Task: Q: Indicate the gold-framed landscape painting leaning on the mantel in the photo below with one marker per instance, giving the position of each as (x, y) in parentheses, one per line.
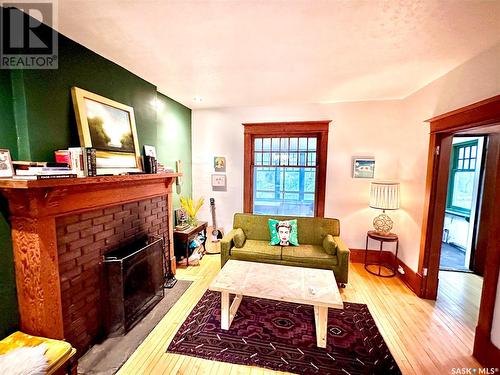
(109, 127)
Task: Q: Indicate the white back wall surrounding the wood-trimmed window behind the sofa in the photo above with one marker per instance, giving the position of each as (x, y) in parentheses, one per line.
(357, 129)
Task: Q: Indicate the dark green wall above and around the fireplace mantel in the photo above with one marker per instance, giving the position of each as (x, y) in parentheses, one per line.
(36, 118)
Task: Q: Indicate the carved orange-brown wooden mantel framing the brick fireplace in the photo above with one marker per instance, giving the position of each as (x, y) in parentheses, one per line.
(33, 208)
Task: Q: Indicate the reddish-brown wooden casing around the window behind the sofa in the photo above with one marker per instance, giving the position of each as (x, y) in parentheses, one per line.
(318, 129)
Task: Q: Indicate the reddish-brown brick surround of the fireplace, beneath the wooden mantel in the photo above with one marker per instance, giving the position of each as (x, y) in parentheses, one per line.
(82, 240)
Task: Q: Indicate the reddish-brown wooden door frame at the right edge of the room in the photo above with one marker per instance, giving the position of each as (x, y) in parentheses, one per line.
(442, 128)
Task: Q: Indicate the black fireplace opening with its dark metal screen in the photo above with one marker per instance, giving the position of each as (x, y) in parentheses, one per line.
(133, 283)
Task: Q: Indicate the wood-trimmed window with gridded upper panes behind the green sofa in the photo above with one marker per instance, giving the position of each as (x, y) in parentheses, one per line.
(285, 165)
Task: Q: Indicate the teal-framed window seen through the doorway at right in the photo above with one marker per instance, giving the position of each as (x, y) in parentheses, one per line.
(461, 183)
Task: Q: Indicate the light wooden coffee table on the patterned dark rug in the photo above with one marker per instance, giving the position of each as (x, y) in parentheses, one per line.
(307, 286)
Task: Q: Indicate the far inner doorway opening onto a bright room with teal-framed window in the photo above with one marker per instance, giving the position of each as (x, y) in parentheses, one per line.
(463, 201)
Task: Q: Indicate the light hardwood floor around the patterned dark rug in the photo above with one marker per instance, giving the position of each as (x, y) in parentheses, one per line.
(425, 337)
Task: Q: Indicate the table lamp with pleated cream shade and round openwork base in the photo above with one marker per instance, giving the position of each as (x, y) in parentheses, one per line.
(384, 195)
